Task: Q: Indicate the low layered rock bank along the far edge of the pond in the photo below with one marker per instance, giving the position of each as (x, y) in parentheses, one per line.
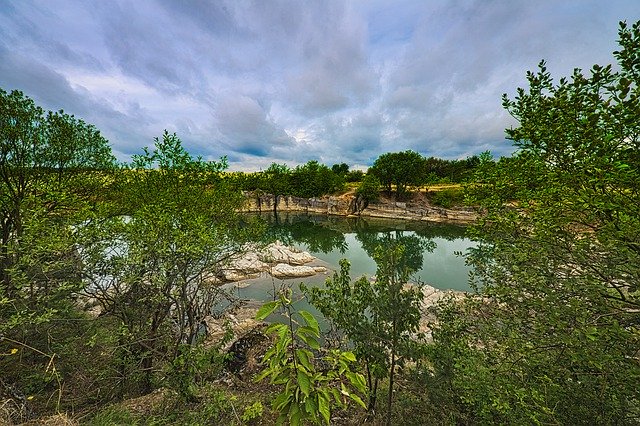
(348, 205)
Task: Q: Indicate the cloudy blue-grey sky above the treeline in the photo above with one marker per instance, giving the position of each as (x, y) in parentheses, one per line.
(291, 81)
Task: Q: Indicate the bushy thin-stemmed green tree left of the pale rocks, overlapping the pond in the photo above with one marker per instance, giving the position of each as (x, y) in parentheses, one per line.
(159, 275)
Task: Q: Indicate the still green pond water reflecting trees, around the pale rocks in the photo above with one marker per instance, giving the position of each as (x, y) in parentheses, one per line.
(431, 250)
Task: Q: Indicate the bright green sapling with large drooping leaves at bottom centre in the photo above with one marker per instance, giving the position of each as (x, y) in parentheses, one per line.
(309, 392)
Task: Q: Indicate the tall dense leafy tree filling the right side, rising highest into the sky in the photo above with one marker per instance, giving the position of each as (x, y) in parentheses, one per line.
(555, 336)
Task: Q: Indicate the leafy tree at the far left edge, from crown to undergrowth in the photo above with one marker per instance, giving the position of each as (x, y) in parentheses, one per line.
(51, 165)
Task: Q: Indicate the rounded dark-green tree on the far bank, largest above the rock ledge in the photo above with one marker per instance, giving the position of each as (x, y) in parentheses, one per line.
(402, 169)
